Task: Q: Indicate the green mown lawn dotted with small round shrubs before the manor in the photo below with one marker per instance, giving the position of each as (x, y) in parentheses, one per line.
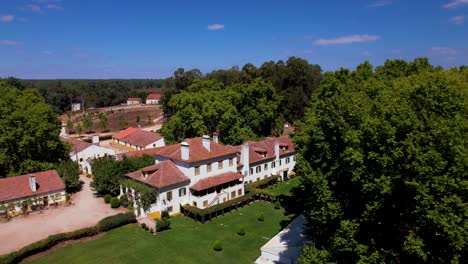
(187, 241)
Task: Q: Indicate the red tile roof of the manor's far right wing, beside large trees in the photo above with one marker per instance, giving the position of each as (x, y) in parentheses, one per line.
(267, 145)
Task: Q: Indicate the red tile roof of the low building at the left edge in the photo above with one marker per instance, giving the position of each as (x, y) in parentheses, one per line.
(14, 188)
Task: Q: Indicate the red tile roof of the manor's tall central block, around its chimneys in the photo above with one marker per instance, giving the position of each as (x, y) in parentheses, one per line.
(196, 150)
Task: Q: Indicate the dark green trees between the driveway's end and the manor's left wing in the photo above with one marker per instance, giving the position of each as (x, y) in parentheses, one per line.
(108, 172)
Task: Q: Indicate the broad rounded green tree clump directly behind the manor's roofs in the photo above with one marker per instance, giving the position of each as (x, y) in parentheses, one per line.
(238, 112)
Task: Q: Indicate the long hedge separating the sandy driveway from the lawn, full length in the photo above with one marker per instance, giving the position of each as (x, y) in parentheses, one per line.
(105, 224)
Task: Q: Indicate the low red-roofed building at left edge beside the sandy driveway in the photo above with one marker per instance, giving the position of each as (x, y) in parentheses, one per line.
(21, 193)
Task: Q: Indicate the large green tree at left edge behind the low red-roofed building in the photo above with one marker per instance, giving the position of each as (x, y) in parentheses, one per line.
(29, 132)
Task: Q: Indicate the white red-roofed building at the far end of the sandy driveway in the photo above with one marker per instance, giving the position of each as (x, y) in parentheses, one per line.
(84, 152)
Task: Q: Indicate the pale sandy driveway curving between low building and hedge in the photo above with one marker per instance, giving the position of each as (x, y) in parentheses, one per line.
(86, 211)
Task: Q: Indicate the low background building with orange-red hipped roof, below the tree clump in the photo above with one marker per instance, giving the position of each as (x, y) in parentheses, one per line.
(137, 139)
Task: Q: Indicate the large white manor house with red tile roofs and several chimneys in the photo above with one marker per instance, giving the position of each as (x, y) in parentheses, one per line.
(201, 172)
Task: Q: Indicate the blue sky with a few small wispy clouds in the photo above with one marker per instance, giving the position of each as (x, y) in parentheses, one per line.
(48, 39)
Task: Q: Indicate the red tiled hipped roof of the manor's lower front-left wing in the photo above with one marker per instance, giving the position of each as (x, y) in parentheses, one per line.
(160, 175)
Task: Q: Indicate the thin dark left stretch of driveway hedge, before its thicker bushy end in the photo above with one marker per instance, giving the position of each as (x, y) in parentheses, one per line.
(45, 244)
